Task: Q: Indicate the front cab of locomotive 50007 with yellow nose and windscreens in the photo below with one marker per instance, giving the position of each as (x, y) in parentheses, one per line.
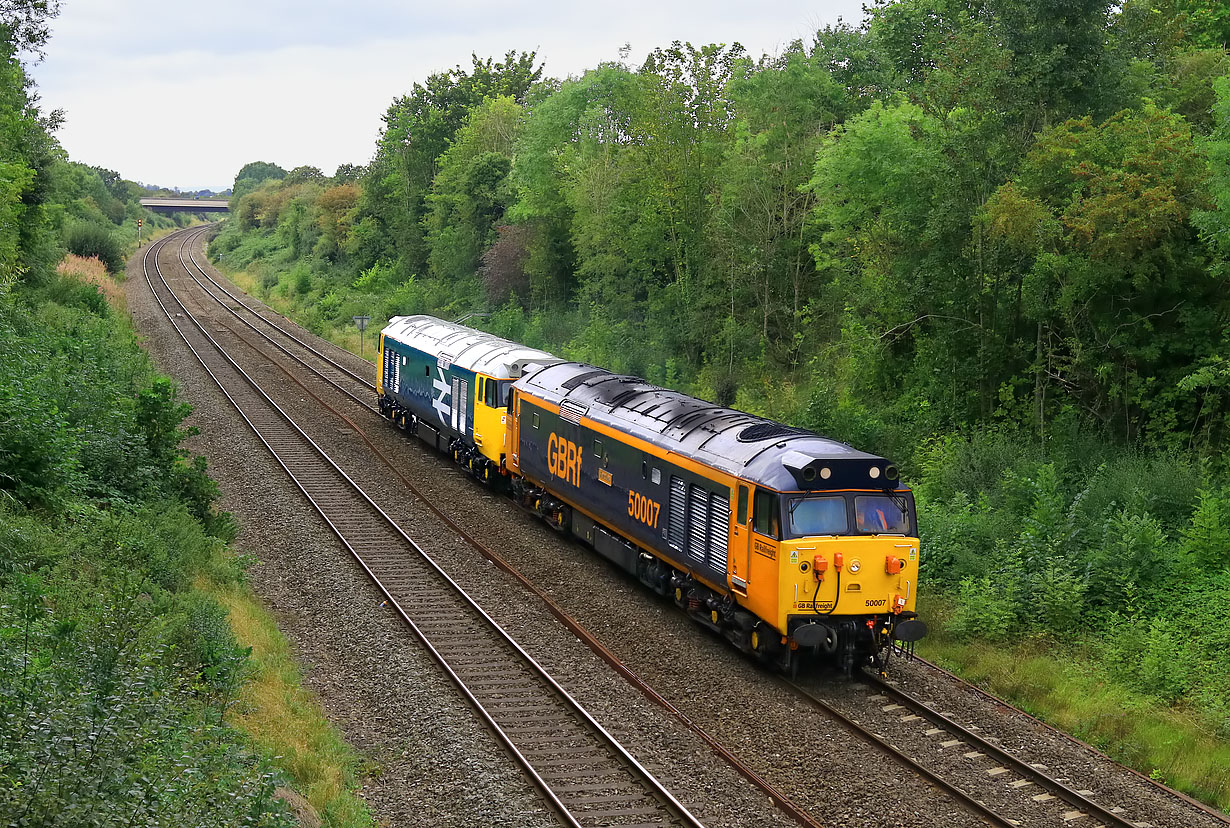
(833, 563)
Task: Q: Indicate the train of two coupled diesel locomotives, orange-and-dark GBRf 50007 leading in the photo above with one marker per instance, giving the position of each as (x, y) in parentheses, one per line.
(785, 542)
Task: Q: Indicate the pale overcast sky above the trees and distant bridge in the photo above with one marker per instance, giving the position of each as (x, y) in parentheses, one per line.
(185, 94)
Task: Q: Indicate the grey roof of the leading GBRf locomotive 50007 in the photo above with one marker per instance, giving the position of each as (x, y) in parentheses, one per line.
(739, 444)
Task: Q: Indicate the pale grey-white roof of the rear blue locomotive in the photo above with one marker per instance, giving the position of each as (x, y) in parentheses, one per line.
(466, 348)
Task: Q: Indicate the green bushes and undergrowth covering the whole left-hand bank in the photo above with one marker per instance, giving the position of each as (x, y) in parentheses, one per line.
(121, 679)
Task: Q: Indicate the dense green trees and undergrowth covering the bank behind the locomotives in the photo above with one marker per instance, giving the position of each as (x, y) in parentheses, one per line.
(987, 241)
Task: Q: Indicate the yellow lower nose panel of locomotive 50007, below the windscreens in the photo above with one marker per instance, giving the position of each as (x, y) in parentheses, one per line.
(833, 576)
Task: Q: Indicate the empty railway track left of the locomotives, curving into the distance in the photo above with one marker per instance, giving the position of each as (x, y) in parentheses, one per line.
(584, 773)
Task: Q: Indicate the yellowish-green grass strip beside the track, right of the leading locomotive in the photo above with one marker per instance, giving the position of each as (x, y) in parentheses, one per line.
(1063, 686)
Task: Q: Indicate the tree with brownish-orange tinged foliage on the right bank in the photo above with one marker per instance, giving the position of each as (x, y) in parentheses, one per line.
(1121, 296)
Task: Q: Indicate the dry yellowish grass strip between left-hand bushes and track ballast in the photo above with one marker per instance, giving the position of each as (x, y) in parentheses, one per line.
(285, 719)
